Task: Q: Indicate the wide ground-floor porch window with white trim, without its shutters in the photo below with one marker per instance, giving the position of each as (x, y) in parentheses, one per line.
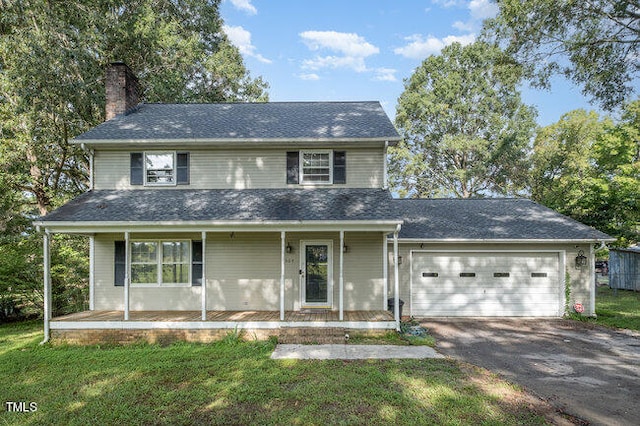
(160, 263)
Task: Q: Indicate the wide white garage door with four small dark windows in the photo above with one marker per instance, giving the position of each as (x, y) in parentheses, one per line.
(486, 284)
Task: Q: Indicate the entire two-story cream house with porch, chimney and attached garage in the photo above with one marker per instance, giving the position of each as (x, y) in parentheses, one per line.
(206, 217)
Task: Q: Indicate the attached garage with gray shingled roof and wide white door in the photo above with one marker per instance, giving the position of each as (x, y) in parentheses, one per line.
(505, 257)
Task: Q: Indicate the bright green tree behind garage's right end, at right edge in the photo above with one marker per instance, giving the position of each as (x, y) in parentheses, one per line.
(589, 168)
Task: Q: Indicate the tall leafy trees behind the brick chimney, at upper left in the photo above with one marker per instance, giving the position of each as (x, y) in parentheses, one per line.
(52, 61)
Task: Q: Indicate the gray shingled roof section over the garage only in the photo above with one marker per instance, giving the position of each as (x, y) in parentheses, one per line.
(490, 219)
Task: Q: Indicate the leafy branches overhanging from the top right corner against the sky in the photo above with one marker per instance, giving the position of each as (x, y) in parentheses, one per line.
(595, 43)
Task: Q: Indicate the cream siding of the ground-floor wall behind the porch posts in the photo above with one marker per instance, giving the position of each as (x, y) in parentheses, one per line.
(243, 273)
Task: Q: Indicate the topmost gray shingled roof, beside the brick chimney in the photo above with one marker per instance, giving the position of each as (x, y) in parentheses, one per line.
(248, 121)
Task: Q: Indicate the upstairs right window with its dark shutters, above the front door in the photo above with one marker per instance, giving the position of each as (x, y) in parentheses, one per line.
(316, 167)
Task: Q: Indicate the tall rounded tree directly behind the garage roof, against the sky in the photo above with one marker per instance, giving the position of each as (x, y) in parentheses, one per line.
(466, 132)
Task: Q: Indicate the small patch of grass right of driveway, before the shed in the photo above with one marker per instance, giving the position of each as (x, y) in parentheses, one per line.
(619, 309)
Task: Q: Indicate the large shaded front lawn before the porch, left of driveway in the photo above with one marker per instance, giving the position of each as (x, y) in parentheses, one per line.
(235, 382)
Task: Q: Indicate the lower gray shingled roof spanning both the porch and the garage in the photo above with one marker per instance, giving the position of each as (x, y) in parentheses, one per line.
(429, 219)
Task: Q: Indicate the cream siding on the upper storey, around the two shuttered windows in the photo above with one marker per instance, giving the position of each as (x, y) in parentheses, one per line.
(239, 169)
